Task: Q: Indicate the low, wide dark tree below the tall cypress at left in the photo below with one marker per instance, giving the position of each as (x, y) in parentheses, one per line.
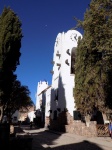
(19, 98)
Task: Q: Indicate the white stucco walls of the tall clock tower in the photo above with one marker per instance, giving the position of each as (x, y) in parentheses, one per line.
(62, 78)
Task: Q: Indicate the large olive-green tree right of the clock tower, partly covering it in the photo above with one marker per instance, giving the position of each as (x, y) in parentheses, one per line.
(93, 68)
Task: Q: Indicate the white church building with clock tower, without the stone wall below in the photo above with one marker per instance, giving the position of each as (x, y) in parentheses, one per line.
(52, 100)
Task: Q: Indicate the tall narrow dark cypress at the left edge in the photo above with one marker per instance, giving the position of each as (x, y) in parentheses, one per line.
(10, 44)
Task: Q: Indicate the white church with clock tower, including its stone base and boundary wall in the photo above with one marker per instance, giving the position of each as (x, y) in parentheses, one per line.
(55, 103)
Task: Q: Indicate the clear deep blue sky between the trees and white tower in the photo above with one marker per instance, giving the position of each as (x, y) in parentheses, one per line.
(41, 21)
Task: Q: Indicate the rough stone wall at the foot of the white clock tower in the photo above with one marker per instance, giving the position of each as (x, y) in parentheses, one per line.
(65, 123)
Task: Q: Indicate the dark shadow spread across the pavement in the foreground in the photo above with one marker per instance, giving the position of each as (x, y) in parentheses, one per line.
(41, 140)
